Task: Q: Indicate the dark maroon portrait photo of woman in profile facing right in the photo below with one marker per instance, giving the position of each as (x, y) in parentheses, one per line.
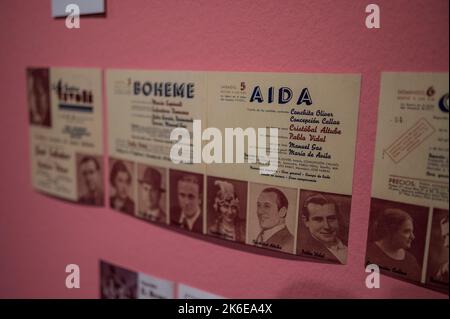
(396, 239)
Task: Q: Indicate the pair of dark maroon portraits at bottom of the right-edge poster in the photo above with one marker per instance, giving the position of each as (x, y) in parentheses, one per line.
(405, 243)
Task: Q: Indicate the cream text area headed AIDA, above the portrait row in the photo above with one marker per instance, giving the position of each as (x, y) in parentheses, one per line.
(335, 98)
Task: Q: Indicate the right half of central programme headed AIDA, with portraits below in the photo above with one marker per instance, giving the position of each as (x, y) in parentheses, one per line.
(304, 206)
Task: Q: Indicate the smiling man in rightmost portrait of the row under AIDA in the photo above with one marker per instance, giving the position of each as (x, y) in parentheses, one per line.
(320, 216)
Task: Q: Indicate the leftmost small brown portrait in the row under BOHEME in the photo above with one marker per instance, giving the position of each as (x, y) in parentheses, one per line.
(121, 183)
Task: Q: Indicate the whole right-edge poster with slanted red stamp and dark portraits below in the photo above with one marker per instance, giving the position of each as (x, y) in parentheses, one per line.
(408, 226)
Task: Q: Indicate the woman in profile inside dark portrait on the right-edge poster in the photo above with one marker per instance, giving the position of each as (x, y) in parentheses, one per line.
(394, 235)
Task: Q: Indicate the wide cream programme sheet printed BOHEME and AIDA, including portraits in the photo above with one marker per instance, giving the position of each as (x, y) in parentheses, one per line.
(319, 120)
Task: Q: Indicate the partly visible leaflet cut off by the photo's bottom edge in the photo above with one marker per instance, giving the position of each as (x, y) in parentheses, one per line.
(121, 283)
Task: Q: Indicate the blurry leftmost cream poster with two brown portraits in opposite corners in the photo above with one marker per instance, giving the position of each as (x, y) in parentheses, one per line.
(66, 141)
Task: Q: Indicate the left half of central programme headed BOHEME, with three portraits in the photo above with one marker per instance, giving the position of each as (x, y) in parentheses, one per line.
(144, 107)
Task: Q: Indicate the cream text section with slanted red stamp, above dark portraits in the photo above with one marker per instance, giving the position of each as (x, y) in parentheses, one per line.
(411, 156)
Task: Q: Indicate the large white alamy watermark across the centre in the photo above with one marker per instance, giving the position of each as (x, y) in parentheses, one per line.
(181, 151)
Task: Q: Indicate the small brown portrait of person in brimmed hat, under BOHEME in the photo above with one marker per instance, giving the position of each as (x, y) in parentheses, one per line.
(152, 193)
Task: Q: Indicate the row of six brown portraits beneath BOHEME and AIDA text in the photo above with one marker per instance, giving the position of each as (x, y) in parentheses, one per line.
(308, 223)
